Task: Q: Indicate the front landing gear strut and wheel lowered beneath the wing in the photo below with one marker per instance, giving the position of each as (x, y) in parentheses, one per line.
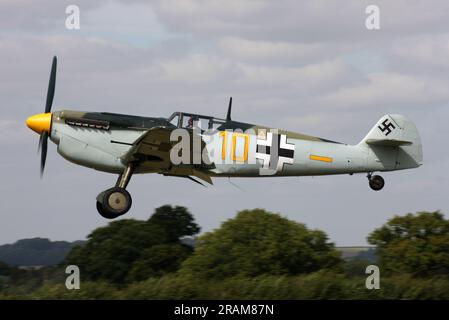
(116, 201)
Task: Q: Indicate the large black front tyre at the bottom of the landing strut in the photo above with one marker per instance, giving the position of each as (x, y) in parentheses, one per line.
(113, 202)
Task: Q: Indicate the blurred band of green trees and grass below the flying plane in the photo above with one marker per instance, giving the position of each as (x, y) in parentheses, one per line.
(256, 255)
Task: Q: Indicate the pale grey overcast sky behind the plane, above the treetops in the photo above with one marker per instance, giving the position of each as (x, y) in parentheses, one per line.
(305, 66)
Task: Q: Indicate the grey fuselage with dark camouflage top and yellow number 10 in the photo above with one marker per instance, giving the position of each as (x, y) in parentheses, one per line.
(108, 142)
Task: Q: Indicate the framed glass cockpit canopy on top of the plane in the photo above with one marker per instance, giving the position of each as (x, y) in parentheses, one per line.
(190, 120)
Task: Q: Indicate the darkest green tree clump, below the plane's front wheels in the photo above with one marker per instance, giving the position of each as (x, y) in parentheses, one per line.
(111, 252)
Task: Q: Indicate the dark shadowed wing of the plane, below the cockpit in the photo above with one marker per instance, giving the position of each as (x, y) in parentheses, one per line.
(151, 152)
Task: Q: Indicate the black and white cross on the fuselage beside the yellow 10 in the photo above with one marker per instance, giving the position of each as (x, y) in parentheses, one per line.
(274, 151)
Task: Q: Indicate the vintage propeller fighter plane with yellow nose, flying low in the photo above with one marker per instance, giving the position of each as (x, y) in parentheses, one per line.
(126, 145)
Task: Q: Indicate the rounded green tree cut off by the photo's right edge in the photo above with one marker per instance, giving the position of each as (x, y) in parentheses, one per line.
(415, 243)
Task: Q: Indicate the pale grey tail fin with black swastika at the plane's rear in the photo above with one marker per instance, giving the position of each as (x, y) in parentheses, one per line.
(395, 137)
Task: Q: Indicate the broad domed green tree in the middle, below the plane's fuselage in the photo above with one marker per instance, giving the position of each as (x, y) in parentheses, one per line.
(258, 242)
